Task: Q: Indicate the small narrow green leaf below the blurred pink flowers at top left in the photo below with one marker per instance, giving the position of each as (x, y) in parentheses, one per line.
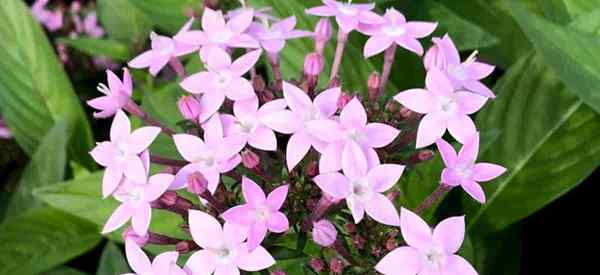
(99, 47)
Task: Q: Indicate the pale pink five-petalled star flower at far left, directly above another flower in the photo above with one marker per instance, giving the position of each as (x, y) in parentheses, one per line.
(120, 155)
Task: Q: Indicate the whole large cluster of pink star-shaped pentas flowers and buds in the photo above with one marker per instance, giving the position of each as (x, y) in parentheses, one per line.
(297, 155)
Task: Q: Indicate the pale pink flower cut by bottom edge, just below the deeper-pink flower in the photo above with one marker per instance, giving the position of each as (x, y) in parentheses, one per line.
(224, 250)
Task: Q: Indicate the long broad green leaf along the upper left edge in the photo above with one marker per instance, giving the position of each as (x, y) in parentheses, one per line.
(34, 90)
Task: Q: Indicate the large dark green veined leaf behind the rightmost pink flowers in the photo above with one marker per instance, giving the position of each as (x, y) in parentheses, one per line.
(548, 143)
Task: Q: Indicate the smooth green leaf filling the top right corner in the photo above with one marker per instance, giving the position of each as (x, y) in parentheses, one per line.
(571, 53)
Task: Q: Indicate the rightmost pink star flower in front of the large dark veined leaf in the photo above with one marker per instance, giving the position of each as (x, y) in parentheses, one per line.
(462, 170)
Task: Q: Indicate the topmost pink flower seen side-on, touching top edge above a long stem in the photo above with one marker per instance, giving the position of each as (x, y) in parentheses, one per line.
(347, 15)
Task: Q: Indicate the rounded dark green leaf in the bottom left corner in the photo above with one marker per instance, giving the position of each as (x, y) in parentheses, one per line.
(42, 239)
